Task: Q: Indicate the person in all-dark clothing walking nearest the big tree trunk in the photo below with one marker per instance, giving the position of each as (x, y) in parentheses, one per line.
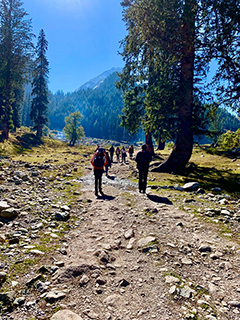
(143, 159)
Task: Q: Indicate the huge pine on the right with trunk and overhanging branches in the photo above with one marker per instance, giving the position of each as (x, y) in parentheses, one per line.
(167, 52)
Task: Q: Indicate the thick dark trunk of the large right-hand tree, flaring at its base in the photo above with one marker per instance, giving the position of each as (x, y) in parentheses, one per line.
(182, 150)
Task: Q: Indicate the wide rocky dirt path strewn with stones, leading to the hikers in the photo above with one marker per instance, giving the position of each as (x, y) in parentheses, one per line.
(132, 256)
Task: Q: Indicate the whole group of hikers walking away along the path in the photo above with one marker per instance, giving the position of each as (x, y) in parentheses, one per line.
(103, 159)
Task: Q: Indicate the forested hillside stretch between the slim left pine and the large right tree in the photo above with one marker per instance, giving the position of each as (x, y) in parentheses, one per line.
(100, 108)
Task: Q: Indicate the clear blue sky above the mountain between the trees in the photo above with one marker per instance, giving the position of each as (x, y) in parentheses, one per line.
(83, 38)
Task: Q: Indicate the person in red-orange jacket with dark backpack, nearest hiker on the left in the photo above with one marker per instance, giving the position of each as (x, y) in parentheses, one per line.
(99, 160)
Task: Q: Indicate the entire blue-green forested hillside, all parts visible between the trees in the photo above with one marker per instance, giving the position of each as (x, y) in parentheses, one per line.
(101, 108)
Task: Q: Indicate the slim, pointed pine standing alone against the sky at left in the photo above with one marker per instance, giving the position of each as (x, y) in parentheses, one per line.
(40, 93)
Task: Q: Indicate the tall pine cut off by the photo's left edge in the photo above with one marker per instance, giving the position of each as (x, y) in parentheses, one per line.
(16, 50)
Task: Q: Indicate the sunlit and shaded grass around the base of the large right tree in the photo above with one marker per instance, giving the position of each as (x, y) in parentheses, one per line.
(212, 170)
